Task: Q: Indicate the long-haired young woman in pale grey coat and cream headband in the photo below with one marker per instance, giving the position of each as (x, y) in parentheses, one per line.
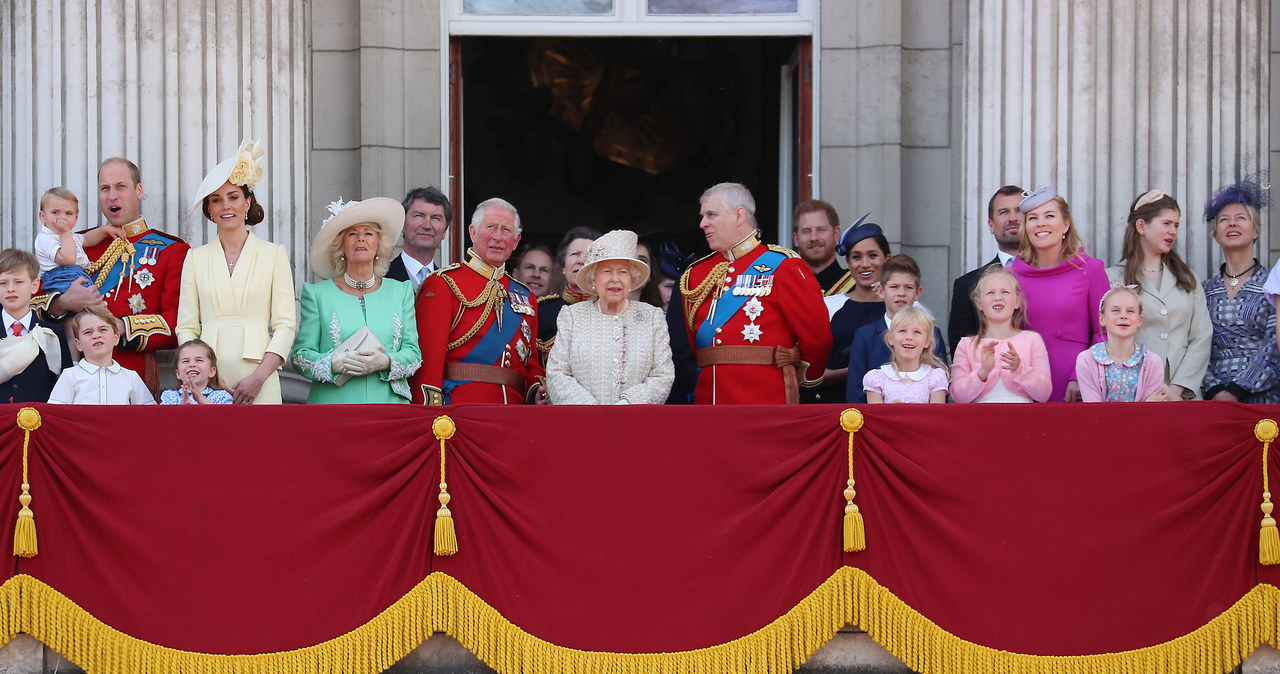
(1176, 322)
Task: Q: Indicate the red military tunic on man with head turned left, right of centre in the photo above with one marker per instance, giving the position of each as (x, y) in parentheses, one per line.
(779, 305)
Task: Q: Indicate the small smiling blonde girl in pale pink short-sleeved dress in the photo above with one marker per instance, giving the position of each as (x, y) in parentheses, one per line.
(915, 374)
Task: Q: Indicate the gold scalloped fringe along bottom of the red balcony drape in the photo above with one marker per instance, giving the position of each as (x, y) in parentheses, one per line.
(444, 604)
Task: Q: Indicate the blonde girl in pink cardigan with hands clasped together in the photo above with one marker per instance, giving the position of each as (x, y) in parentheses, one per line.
(1004, 363)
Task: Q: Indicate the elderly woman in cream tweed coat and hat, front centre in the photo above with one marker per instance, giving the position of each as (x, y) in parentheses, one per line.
(611, 351)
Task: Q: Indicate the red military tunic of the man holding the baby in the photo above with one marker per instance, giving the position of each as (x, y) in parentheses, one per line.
(141, 283)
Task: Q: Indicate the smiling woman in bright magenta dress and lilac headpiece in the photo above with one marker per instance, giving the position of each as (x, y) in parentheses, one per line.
(1062, 287)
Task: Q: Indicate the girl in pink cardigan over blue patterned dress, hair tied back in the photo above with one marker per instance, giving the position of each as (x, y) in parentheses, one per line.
(1119, 370)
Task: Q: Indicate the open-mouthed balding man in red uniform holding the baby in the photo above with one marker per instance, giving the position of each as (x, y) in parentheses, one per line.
(139, 277)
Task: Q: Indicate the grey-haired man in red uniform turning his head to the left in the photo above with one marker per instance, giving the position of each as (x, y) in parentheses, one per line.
(755, 313)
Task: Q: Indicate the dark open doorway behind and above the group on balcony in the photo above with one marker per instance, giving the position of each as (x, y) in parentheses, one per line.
(628, 132)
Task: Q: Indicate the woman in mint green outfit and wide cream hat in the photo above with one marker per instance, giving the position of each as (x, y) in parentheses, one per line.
(358, 342)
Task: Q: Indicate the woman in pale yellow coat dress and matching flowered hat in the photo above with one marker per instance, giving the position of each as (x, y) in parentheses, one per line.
(237, 291)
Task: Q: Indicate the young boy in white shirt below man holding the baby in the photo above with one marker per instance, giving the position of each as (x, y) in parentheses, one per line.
(98, 379)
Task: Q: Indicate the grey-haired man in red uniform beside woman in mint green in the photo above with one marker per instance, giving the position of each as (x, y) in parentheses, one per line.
(477, 325)
